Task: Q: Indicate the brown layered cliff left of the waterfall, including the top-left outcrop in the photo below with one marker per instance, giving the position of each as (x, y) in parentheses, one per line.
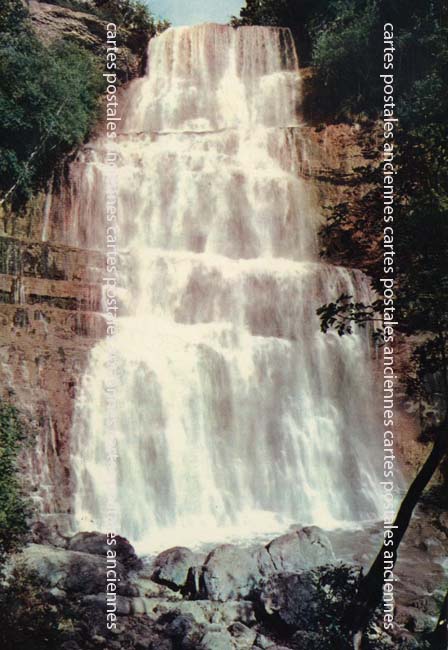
(50, 297)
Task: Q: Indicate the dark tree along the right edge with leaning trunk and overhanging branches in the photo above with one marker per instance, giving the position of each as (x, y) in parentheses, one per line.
(355, 234)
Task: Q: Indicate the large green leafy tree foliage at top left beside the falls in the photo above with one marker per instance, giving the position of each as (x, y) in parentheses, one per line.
(49, 100)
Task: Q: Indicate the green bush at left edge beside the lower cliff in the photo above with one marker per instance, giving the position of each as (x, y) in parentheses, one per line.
(13, 507)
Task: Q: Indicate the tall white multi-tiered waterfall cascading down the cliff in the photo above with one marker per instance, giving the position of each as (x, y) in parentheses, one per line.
(235, 414)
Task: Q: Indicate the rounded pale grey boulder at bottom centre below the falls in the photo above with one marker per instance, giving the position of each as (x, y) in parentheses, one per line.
(229, 573)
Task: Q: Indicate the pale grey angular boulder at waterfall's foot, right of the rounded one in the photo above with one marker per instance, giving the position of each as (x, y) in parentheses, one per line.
(302, 549)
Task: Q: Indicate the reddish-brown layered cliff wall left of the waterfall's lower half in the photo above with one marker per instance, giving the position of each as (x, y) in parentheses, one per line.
(50, 318)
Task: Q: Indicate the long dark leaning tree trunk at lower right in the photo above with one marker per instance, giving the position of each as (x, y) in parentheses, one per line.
(371, 588)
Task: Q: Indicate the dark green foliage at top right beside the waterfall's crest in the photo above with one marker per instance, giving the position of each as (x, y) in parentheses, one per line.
(343, 40)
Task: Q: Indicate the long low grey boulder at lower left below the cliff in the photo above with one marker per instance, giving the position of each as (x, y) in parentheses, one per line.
(71, 571)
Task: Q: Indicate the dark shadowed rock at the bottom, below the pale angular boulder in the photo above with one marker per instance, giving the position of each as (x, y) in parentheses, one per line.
(289, 600)
